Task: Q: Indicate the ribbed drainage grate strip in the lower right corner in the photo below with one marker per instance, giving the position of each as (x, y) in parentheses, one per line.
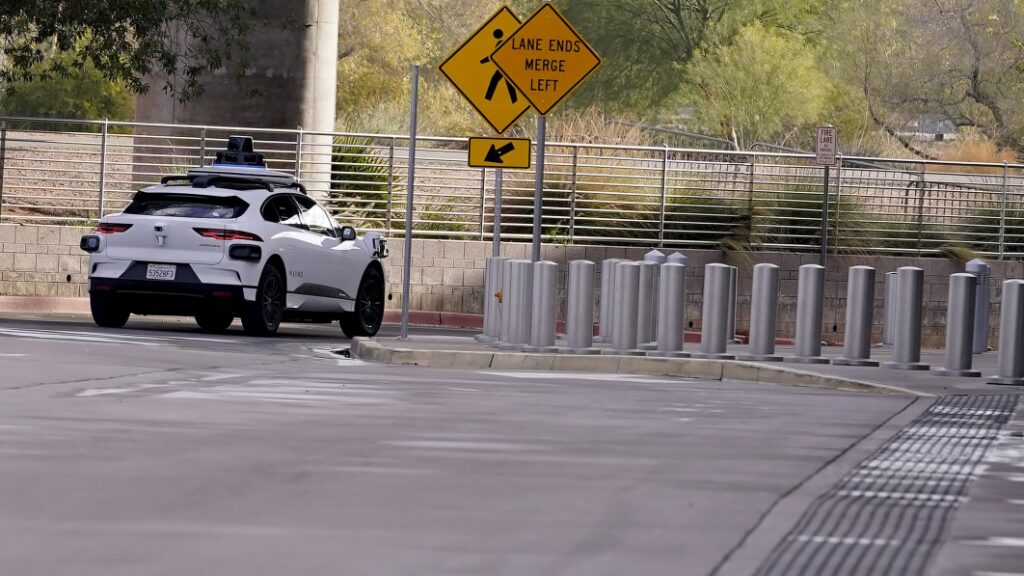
(890, 515)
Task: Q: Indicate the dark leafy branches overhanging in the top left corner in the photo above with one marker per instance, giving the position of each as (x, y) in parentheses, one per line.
(125, 40)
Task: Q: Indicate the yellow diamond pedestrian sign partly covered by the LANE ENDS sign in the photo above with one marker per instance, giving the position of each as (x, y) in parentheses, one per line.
(472, 71)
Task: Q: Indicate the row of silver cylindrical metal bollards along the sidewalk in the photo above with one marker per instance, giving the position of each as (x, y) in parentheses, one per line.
(643, 312)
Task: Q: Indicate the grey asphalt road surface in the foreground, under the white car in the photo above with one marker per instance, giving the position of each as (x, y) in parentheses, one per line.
(160, 450)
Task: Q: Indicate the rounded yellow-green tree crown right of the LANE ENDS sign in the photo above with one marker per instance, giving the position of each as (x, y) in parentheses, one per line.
(759, 88)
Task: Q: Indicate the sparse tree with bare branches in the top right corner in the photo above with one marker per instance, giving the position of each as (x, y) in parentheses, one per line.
(950, 60)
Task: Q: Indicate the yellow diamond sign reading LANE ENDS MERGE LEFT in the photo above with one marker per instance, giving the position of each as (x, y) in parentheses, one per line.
(546, 59)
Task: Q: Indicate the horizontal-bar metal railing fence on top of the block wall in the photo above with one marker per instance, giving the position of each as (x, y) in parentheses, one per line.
(72, 173)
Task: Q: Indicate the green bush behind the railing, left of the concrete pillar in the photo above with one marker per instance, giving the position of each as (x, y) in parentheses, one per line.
(83, 95)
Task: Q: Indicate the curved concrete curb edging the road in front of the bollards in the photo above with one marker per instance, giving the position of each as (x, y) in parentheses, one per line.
(374, 351)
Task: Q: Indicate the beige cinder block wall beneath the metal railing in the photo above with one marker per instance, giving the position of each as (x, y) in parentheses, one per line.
(448, 276)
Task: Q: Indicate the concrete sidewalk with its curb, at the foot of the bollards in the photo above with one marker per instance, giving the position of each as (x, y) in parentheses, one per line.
(456, 352)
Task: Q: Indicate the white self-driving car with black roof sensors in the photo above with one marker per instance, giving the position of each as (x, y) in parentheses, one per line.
(235, 240)
